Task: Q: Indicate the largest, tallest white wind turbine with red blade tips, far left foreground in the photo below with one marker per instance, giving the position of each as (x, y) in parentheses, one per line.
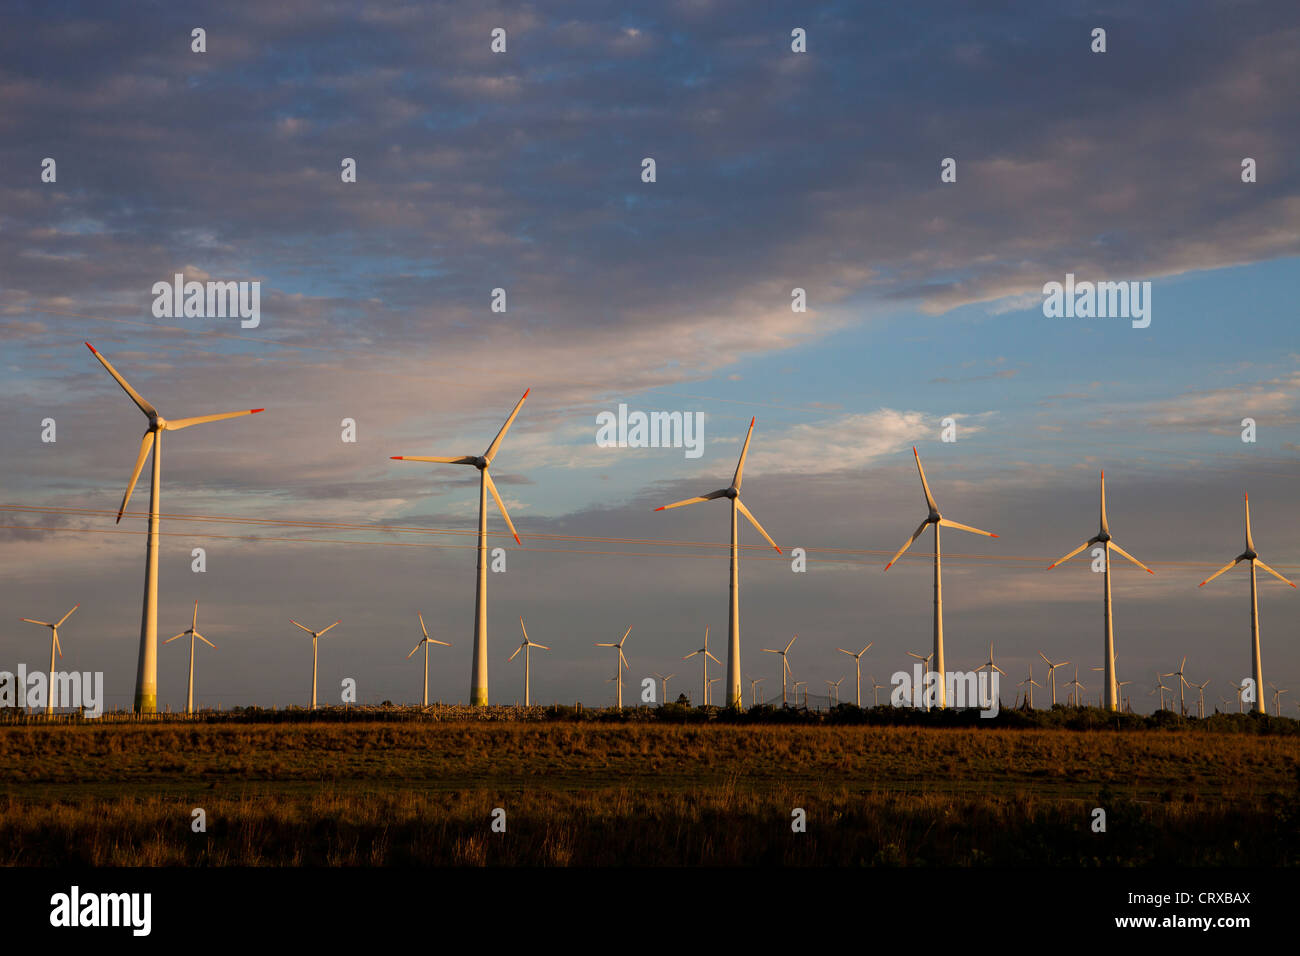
(148, 668)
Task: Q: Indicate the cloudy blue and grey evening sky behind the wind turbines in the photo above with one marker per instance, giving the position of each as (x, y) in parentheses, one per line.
(774, 171)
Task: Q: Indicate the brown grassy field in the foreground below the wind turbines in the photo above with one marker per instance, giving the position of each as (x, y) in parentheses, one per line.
(322, 791)
